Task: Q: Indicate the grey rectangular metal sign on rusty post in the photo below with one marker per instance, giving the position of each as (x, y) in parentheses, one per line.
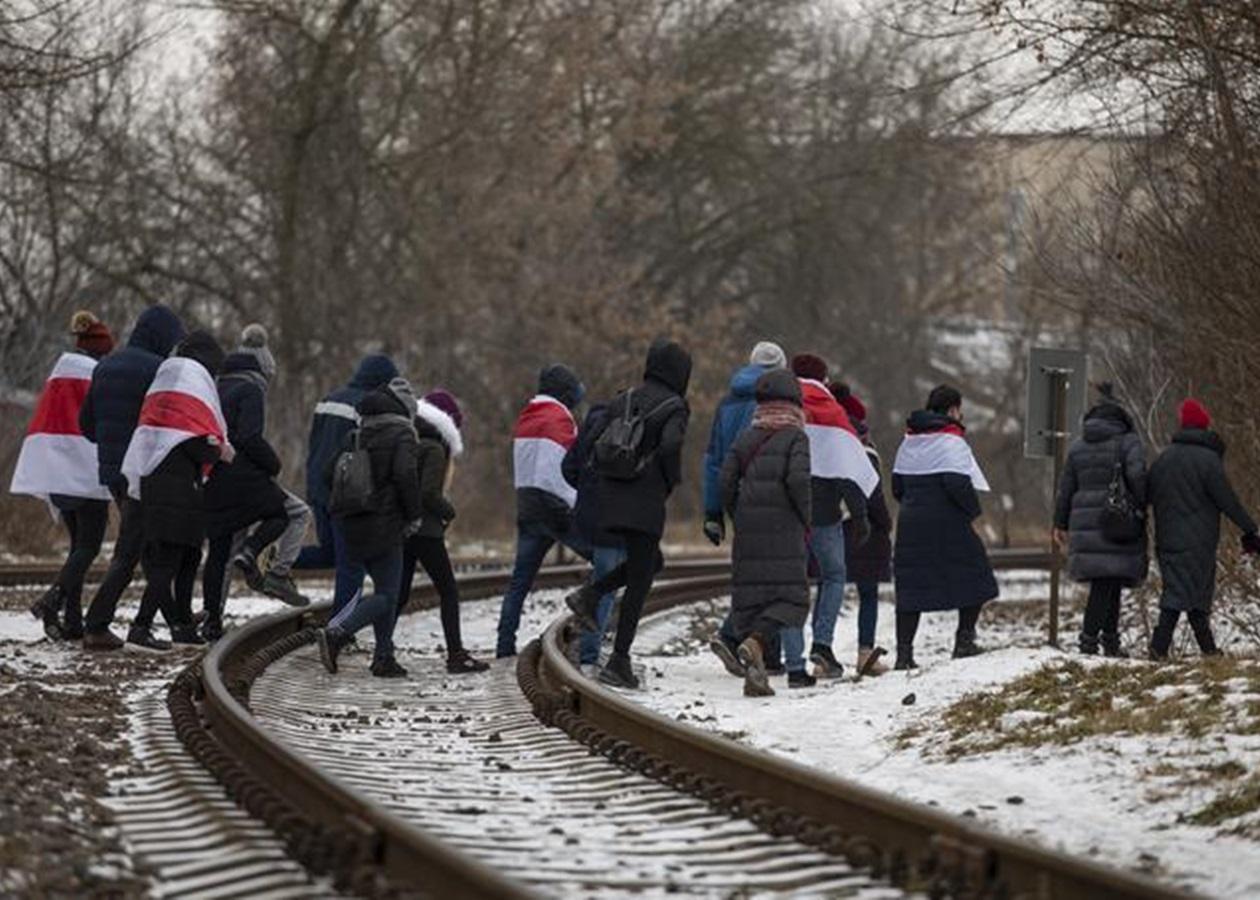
(1058, 380)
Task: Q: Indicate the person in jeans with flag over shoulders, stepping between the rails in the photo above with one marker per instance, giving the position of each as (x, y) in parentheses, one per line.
(544, 434)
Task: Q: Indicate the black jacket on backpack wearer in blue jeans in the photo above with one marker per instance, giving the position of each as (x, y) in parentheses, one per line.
(389, 434)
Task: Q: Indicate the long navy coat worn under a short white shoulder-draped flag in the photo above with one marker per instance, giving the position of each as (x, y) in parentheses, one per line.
(939, 562)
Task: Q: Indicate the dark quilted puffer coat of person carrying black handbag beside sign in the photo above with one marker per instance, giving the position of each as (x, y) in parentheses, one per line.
(1108, 437)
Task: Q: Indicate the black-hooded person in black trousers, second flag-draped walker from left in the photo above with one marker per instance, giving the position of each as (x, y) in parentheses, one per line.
(181, 437)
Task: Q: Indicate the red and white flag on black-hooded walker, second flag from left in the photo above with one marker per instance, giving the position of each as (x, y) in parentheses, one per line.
(181, 404)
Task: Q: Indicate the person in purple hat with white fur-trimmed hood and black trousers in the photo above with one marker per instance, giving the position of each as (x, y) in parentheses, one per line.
(439, 420)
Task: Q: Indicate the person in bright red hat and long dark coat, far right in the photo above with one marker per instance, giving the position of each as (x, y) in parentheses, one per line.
(1190, 492)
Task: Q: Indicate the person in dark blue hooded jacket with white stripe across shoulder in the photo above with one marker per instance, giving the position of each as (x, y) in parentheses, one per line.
(336, 418)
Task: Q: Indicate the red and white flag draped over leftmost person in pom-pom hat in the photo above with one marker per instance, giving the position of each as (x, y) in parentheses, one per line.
(56, 458)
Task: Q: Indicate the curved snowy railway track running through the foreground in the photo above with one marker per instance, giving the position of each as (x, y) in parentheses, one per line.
(462, 787)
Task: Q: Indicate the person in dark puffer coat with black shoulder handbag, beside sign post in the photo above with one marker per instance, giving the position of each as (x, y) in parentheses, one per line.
(1107, 567)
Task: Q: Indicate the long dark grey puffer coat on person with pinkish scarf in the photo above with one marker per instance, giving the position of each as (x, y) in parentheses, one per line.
(767, 493)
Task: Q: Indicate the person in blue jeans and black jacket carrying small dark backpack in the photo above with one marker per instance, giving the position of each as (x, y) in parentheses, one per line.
(375, 536)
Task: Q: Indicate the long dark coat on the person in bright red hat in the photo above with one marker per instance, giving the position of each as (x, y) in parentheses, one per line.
(1190, 492)
